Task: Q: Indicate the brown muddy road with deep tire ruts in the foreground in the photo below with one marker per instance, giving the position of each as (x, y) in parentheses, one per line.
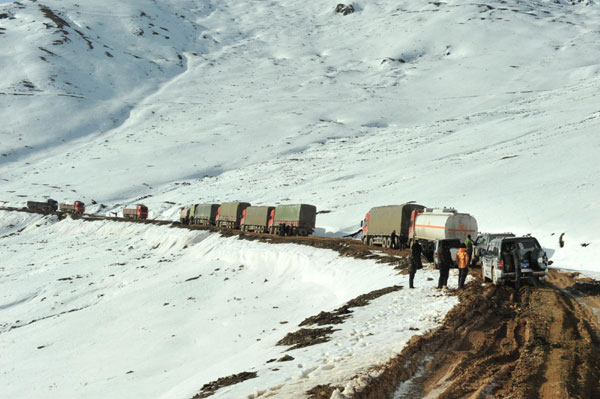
(498, 343)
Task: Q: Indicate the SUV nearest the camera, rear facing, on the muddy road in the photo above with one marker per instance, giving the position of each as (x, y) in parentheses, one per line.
(509, 258)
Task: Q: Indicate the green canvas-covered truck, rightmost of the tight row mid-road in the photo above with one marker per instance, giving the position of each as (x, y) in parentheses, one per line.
(297, 219)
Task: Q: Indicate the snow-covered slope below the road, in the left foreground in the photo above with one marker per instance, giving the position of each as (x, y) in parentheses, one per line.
(106, 309)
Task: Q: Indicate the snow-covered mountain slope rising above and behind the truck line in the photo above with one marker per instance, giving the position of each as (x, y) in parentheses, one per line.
(488, 107)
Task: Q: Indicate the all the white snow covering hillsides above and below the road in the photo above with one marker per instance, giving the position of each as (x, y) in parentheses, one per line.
(492, 108)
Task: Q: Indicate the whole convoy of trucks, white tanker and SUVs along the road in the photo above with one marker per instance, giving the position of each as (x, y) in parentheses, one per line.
(503, 256)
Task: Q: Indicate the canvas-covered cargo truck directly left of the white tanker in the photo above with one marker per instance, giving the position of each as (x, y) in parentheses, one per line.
(381, 221)
